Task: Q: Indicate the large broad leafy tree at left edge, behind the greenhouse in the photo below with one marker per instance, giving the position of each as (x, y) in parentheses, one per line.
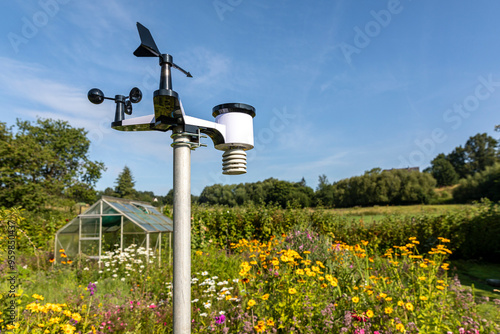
(46, 163)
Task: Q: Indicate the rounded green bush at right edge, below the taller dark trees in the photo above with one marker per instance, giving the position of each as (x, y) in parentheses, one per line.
(485, 184)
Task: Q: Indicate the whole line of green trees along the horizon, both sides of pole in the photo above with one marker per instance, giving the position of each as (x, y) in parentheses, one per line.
(47, 164)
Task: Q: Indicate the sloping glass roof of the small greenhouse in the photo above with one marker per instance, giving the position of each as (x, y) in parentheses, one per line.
(143, 214)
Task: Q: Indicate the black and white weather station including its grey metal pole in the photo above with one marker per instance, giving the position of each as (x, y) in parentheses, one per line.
(232, 132)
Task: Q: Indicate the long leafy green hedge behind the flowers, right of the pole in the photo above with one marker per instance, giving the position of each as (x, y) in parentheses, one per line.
(474, 231)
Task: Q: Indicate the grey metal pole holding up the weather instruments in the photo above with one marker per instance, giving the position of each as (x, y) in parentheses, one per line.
(182, 232)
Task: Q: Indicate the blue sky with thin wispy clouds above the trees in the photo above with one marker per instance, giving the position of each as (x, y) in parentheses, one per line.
(340, 87)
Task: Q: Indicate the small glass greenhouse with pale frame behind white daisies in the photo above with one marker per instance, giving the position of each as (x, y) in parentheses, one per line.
(113, 223)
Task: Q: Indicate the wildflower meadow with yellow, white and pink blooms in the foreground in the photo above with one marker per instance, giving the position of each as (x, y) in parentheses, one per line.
(302, 281)
